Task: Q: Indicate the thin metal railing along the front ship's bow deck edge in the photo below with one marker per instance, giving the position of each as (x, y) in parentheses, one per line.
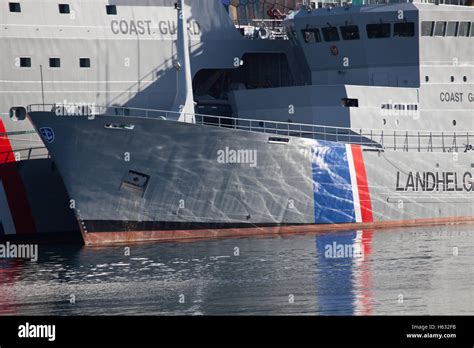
(382, 139)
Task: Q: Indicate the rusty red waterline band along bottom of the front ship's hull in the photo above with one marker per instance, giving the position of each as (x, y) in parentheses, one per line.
(110, 238)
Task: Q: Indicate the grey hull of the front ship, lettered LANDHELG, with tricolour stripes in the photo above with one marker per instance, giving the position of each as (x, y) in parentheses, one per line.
(165, 180)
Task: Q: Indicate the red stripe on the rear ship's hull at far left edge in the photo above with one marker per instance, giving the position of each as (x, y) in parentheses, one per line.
(14, 188)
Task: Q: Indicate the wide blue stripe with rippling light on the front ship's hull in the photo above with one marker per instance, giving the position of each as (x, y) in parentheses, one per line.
(333, 198)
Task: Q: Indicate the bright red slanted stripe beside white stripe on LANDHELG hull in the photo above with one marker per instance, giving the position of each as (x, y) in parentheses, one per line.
(362, 184)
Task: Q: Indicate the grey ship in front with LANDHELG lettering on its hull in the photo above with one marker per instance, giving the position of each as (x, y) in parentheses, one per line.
(374, 129)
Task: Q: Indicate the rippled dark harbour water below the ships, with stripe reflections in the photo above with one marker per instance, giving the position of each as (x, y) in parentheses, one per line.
(401, 272)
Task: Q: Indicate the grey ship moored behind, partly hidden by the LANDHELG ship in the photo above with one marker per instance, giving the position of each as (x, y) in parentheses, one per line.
(112, 53)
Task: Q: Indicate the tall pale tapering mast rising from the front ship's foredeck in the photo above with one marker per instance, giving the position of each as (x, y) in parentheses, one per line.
(184, 101)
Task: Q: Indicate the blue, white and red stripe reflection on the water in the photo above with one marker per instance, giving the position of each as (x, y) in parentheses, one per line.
(344, 277)
